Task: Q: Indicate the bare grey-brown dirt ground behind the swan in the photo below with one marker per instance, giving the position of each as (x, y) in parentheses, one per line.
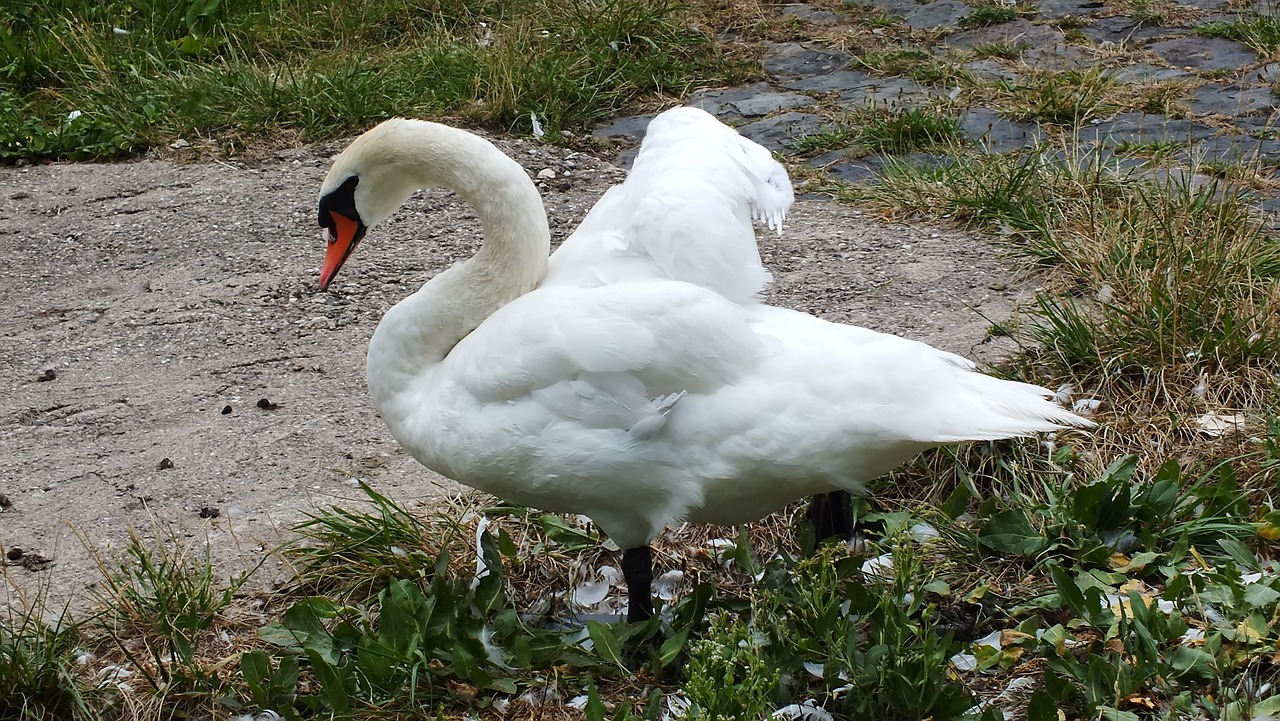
(150, 307)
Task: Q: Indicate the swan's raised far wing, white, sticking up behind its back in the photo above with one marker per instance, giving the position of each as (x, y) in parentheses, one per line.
(685, 213)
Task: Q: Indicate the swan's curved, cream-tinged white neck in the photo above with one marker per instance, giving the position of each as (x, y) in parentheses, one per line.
(420, 331)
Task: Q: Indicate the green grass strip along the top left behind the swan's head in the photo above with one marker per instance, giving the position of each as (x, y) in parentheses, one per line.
(204, 69)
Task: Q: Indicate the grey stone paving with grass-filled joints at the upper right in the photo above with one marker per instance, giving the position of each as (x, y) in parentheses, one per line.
(1218, 97)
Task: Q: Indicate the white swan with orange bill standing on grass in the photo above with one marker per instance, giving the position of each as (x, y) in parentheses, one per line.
(637, 378)
